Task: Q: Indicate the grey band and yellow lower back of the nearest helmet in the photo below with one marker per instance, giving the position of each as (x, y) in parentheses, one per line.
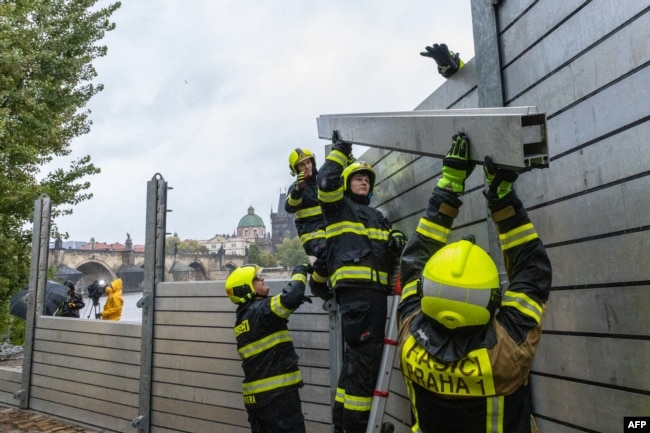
(455, 307)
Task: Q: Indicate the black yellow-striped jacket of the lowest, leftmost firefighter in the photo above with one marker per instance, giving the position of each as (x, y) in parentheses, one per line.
(269, 360)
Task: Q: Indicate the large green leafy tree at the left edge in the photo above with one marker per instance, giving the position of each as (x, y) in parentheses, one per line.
(46, 52)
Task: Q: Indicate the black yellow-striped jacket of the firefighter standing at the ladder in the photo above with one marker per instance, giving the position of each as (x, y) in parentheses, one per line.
(356, 233)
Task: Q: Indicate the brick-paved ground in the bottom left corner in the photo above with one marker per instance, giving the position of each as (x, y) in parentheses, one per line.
(13, 420)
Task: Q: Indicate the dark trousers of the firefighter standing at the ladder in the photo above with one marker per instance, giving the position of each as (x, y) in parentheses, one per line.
(363, 323)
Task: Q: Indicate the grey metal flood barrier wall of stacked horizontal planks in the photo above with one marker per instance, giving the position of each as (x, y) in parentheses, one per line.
(584, 63)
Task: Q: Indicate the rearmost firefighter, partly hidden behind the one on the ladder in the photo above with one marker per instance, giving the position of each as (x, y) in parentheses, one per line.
(302, 200)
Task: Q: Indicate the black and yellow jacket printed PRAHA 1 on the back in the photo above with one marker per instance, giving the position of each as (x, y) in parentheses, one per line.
(474, 381)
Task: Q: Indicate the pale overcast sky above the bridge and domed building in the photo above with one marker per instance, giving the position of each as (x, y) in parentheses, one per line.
(214, 94)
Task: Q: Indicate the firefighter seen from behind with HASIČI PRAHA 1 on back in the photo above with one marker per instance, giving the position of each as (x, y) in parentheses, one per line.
(466, 348)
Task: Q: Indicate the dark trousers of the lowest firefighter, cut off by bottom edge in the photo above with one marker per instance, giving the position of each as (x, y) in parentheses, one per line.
(282, 415)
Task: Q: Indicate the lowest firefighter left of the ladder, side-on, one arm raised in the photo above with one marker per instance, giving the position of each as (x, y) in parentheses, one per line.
(270, 363)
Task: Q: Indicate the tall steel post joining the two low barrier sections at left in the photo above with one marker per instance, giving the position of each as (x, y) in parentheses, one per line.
(154, 273)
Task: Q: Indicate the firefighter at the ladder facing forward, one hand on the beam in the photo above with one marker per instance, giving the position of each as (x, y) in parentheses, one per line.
(361, 252)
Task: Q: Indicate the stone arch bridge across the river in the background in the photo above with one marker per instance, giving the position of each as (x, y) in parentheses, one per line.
(85, 266)
